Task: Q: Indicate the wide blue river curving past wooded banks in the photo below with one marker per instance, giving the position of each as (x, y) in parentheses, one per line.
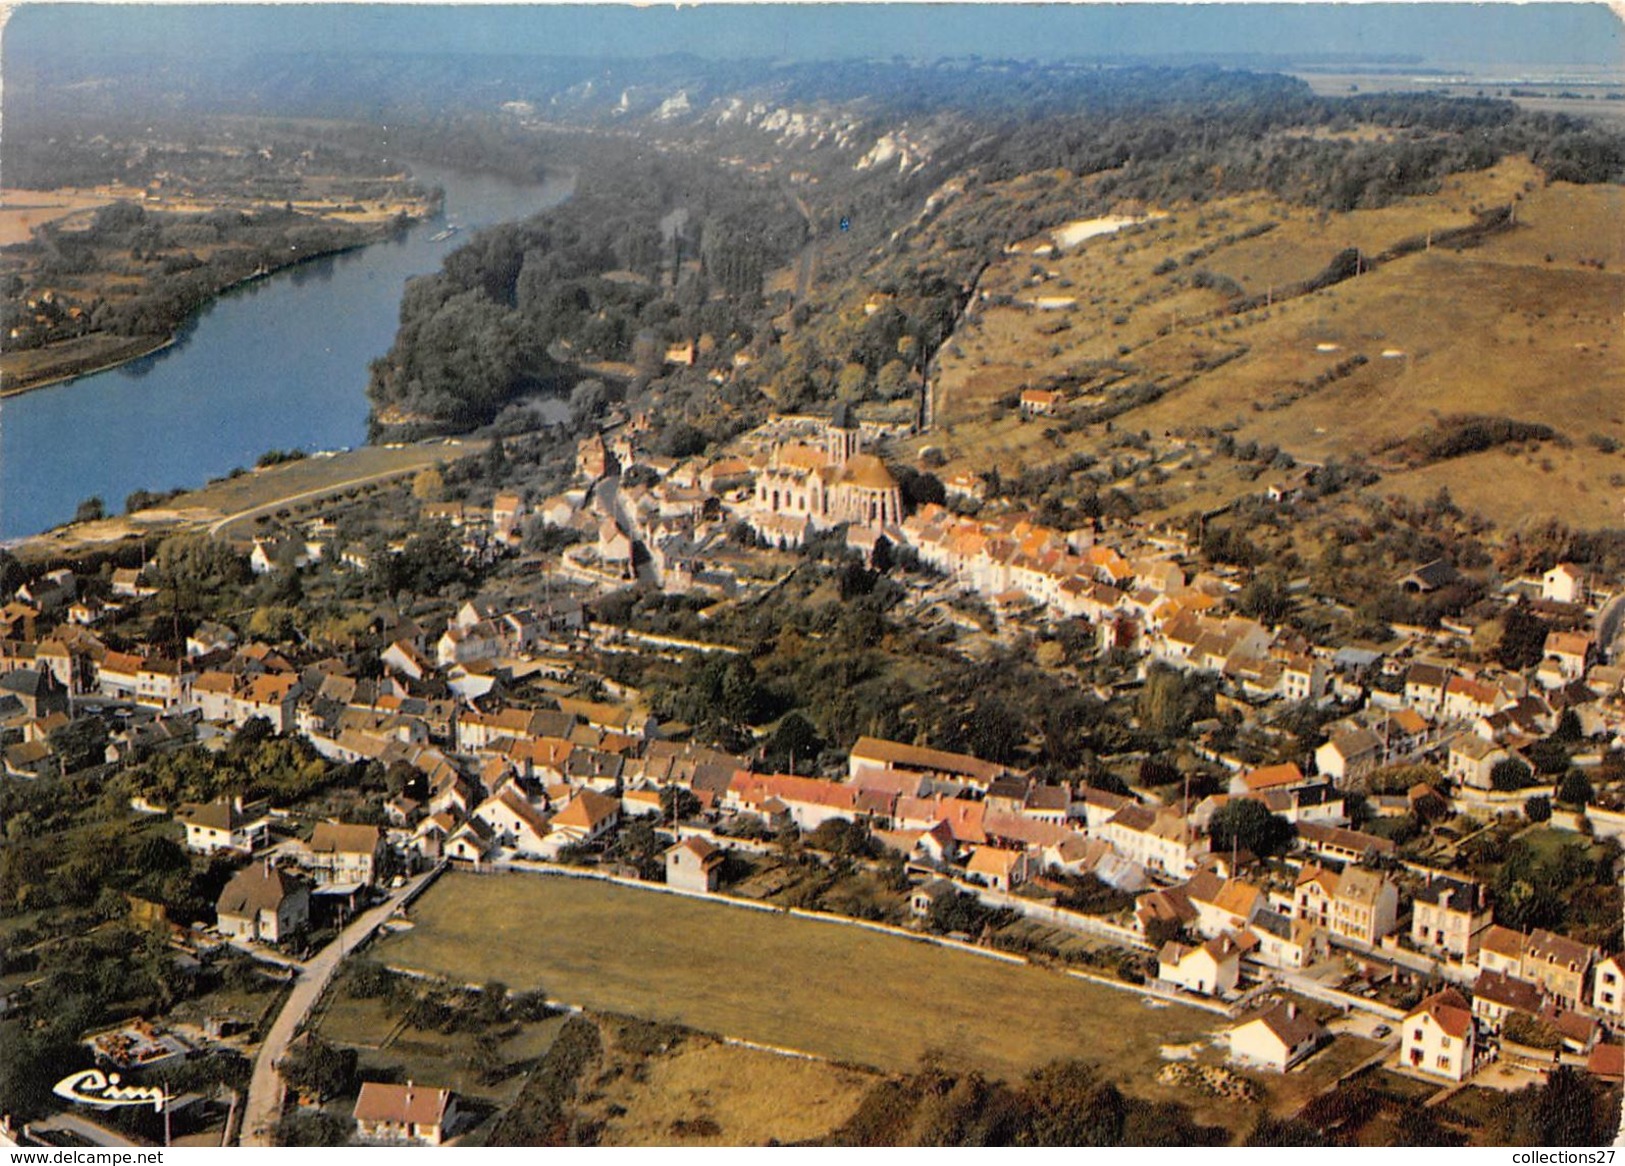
(280, 363)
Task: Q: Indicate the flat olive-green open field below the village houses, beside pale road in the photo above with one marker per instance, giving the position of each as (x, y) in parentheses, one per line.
(834, 991)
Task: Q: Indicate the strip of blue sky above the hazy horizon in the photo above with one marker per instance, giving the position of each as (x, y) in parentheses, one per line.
(1553, 35)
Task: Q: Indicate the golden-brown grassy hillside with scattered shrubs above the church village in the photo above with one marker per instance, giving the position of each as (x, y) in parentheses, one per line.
(1205, 321)
